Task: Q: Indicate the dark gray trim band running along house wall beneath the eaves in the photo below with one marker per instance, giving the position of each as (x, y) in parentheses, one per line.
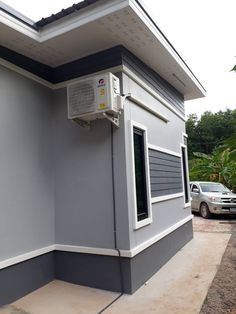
(97, 62)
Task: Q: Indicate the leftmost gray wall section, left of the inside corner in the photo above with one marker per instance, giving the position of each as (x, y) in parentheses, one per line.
(26, 180)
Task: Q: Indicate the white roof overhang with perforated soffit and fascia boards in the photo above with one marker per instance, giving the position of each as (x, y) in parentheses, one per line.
(91, 26)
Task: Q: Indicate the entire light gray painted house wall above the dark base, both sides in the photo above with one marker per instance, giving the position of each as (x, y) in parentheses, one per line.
(56, 177)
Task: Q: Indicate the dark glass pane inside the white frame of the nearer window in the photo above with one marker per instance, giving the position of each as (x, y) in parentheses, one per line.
(140, 176)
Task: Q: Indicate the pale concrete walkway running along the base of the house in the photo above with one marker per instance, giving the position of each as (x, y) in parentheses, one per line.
(179, 287)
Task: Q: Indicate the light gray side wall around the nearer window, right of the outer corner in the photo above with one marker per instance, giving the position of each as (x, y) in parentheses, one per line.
(167, 135)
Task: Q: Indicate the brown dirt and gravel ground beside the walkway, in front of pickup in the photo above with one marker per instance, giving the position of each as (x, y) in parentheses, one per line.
(221, 297)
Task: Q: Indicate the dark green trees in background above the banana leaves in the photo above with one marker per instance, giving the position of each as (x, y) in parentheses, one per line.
(210, 130)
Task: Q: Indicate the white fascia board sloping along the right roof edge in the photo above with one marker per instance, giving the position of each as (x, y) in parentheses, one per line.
(146, 20)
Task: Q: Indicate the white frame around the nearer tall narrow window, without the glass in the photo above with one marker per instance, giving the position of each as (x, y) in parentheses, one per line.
(148, 220)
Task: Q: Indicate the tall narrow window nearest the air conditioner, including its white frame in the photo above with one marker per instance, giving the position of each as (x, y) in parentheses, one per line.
(140, 176)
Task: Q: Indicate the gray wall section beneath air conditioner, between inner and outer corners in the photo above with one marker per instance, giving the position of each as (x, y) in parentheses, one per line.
(83, 180)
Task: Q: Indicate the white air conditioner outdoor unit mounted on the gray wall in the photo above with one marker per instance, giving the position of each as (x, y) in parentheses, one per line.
(94, 98)
